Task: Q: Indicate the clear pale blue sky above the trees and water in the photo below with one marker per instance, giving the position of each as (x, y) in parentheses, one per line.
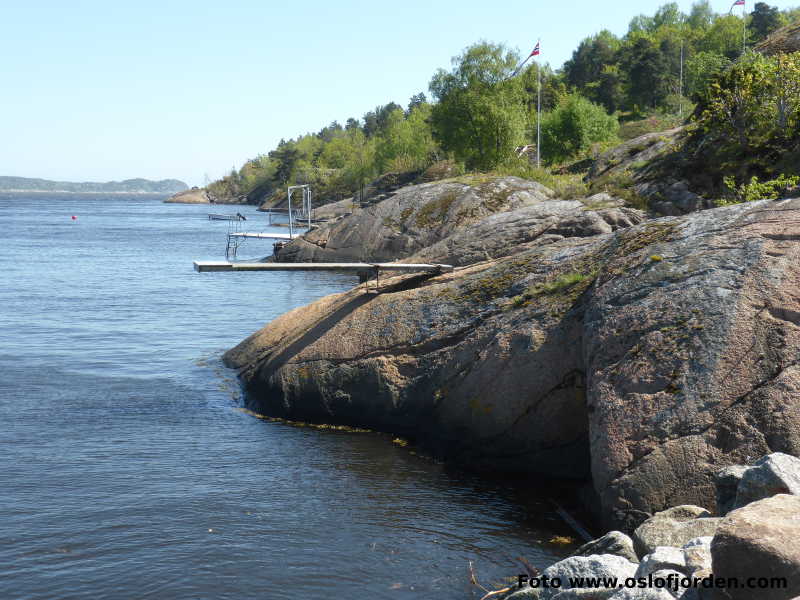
(94, 90)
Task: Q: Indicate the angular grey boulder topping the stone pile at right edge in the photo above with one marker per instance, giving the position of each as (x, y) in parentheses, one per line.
(774, 474)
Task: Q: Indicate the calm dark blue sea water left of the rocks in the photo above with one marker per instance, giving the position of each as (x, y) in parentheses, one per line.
(128, 469)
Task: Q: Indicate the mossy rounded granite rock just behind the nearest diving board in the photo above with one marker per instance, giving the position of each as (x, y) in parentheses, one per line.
(454, 223)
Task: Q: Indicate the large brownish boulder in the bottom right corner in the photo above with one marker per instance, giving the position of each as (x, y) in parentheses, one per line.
(761, 540)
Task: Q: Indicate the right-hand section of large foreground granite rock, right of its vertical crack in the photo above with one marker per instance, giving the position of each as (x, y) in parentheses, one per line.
(693, 361)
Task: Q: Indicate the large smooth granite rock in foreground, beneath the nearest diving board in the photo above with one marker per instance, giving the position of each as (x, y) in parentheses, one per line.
(650, 357)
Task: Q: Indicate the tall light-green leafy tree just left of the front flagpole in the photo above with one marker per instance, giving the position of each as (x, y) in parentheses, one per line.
(480, 114)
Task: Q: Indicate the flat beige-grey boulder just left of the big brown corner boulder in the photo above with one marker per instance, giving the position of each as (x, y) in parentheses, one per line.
(673, 528)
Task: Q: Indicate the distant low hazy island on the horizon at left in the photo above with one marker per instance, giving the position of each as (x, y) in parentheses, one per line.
(129, 186)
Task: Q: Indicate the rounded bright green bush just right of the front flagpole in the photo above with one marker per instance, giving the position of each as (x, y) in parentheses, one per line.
(572, 128)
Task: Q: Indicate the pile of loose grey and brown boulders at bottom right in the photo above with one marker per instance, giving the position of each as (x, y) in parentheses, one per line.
(757, 534)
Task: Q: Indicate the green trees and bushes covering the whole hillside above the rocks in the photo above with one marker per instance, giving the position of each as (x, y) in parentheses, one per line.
(481, 115)
